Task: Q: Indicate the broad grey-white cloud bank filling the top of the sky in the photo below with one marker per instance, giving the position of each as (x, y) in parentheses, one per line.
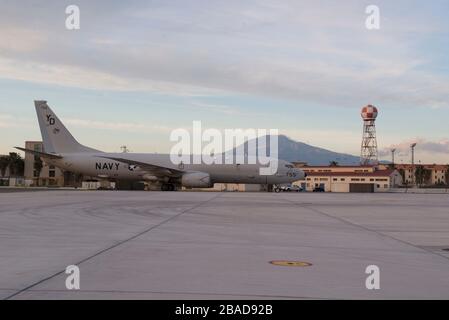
(315, 52)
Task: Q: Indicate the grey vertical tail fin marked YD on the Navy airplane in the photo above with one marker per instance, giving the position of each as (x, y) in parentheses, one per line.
(55, 136)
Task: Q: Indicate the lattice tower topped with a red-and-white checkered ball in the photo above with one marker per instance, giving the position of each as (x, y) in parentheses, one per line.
(368, 153)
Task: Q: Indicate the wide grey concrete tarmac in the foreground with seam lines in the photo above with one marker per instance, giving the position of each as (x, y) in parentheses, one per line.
(210, 245)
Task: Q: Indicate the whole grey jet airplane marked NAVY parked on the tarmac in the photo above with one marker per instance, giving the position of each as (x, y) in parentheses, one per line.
(63, 151)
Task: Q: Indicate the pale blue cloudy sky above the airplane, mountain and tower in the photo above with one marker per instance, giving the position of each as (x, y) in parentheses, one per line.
(138, 69)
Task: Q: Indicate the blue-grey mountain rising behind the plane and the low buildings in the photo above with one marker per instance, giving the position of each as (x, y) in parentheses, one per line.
(291, 150)
